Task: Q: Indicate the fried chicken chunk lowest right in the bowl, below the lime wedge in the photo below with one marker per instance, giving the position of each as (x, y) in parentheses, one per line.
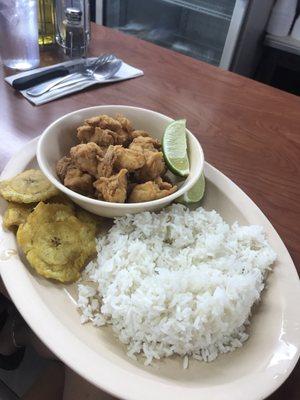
(151, 190)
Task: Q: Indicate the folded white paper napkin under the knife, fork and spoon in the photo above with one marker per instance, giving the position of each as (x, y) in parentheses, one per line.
(125, 72)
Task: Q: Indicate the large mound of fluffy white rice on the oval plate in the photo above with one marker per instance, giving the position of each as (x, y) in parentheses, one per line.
(177, 282)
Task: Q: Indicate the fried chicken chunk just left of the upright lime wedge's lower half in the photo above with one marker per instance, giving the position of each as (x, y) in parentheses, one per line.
(153, 167)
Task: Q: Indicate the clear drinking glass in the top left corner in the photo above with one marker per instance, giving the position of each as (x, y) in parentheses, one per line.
(19, 47)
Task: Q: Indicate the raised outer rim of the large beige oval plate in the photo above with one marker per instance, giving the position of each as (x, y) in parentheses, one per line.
(109, 372)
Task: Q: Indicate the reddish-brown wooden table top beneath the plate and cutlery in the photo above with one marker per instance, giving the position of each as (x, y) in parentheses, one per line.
(251, 132)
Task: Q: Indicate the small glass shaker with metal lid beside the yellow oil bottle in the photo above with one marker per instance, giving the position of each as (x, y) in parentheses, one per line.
(74, 33)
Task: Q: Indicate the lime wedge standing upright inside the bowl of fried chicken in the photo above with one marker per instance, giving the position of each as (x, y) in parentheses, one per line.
(174, 148)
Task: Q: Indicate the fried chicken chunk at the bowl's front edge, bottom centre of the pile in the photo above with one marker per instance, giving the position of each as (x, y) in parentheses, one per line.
(114, 188)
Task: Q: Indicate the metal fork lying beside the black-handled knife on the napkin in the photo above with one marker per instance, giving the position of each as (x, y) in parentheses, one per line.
(88, 72)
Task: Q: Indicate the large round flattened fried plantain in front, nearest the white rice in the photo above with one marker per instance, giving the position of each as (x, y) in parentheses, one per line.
(56, 243)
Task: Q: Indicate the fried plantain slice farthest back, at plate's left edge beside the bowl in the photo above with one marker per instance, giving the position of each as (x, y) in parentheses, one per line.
(29, 186)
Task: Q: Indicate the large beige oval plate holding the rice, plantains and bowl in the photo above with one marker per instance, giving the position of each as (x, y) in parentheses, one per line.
(252, 372)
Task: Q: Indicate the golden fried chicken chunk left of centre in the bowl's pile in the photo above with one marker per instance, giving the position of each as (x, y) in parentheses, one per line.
(86, 157)
